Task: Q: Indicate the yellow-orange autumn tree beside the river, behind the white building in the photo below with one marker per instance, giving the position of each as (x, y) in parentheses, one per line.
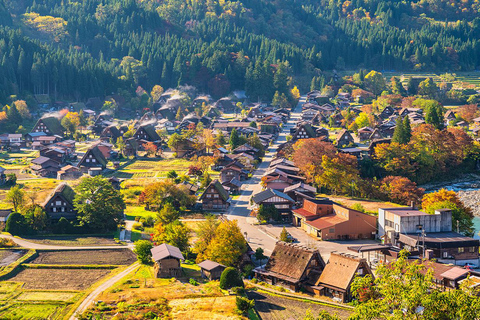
(445, 199)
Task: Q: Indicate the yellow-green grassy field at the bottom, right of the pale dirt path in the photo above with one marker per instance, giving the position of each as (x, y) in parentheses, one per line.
(166, 298)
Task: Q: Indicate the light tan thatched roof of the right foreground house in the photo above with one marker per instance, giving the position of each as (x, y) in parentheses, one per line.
(340, 271)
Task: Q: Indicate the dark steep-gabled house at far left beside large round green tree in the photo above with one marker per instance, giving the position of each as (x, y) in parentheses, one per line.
(60, 203)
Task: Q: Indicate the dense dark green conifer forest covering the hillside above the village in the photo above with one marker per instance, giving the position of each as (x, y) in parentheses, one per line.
(80, 49)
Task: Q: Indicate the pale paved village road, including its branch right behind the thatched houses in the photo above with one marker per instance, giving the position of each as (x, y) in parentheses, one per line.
(266, 236)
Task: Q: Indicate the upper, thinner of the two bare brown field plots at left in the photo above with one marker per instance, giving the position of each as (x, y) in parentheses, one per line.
(86, 257)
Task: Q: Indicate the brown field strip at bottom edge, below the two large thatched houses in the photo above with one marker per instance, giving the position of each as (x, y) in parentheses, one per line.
(276, 307)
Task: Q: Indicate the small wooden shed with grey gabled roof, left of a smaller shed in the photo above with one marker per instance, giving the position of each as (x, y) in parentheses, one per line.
(167, 261)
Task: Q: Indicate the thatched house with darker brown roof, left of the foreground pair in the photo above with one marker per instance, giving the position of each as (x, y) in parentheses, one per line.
(291, 266)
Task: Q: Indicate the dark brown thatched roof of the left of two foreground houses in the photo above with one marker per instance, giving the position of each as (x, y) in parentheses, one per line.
(290, 260)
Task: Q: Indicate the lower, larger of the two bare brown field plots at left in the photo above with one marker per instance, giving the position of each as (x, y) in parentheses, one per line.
(59, 279)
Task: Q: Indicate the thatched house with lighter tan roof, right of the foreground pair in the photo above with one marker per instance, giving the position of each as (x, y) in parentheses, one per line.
(338, 274)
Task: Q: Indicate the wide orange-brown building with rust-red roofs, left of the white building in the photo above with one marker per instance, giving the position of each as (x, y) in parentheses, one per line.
(327, 220)
